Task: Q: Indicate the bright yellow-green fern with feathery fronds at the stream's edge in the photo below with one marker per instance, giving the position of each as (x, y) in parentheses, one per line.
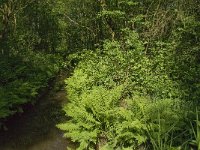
(98, 119)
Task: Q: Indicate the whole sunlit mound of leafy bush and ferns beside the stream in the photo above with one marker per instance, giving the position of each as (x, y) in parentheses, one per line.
(120, 98)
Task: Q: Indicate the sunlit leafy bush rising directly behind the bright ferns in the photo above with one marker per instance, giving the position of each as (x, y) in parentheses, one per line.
(120, 62)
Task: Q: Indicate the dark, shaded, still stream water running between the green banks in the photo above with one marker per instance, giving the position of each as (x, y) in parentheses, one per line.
(35, 128)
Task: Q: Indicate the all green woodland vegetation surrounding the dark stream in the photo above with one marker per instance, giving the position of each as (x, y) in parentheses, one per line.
(135, 68)
